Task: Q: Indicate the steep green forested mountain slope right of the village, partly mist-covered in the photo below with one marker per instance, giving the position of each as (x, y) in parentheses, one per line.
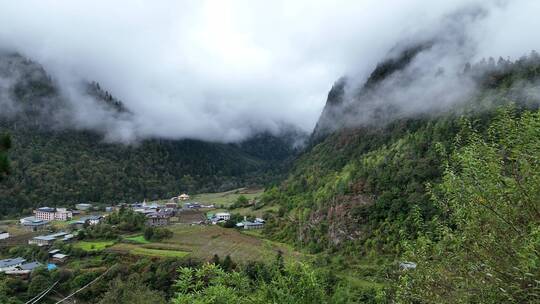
(362, 184)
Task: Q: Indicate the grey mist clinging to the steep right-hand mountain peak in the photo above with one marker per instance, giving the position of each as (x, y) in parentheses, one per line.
(437, 71)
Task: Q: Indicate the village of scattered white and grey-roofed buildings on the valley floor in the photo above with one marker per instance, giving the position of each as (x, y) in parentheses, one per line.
(51, 227)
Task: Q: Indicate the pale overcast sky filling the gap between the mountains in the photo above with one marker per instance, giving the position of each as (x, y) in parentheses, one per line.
(219, 70)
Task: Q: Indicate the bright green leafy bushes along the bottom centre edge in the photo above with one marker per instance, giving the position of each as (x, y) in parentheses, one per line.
(258, 283)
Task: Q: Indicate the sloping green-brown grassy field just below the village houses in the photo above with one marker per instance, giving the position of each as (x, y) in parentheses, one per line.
(202, 242)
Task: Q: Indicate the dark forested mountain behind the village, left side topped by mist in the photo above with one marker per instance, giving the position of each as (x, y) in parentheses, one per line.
(55, 161)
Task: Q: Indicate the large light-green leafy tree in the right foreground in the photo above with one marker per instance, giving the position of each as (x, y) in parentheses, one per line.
(487, 250)
